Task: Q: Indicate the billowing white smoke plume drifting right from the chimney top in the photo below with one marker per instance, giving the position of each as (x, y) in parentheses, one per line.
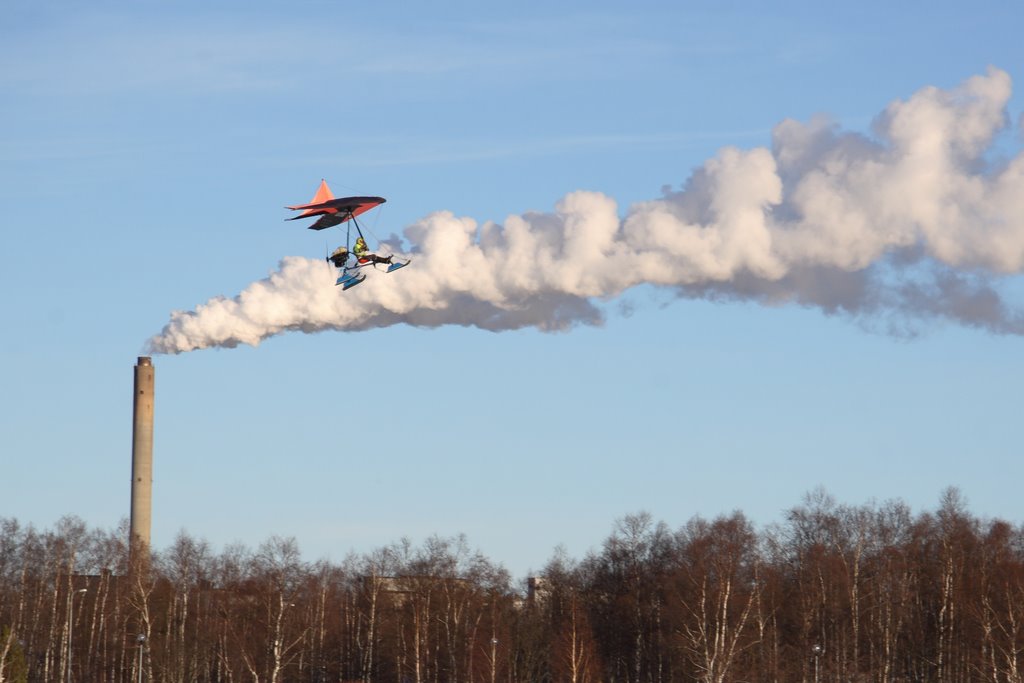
(917, 223)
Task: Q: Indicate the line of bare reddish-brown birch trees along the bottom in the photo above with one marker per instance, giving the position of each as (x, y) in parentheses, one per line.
(832, 593)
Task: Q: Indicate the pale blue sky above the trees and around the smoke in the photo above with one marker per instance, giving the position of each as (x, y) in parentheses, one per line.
(147, 151)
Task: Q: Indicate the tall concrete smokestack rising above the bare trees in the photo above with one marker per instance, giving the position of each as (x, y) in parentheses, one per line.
(142, 459)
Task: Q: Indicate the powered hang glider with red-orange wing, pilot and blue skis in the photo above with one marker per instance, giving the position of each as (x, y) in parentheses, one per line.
(350, 259)
